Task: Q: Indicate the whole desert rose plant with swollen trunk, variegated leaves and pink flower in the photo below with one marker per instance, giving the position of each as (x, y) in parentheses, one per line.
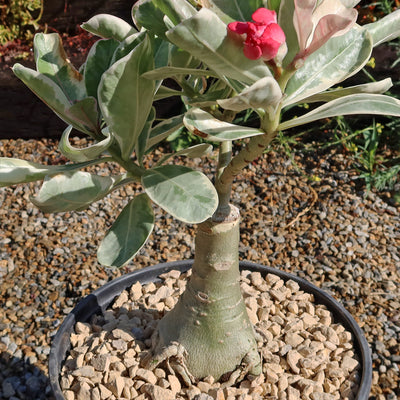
(227, 58)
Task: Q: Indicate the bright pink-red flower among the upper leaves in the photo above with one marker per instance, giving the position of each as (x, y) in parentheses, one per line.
(264, 36)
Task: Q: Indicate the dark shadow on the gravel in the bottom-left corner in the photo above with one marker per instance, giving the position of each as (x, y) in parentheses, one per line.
(20, 380)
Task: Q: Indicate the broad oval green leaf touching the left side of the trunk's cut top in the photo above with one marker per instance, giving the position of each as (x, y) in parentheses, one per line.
(186, 194)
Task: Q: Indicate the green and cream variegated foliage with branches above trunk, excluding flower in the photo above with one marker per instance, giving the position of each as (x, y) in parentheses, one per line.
(111, 98)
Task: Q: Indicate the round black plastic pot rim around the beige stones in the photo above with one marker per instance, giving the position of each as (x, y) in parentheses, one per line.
(101, 298)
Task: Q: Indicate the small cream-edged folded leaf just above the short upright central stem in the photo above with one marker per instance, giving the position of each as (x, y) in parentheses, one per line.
(204, 125)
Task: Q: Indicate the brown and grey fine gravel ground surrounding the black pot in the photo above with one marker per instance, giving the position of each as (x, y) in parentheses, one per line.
(326, 230)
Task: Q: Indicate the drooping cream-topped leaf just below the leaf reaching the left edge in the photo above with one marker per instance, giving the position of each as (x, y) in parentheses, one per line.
(71, 191)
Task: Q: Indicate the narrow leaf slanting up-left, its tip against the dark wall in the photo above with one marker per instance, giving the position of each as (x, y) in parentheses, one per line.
(51, 94)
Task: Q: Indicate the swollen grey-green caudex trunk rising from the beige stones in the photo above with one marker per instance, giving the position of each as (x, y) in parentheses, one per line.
(208, 332)
